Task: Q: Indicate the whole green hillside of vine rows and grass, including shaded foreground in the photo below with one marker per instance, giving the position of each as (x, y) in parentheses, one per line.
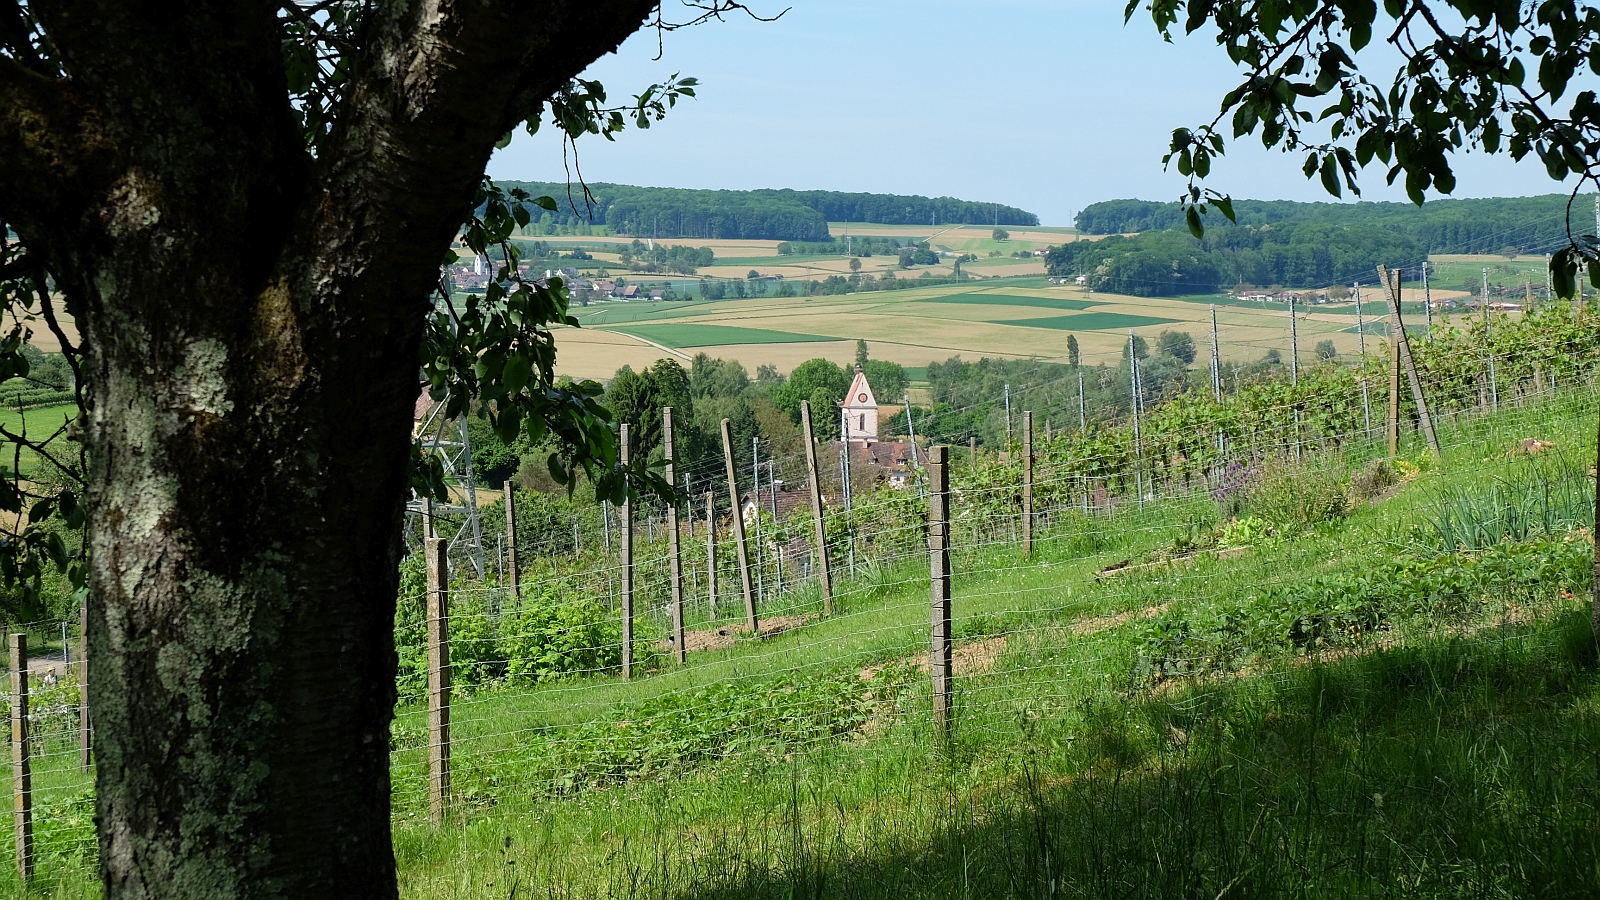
(1230, 643)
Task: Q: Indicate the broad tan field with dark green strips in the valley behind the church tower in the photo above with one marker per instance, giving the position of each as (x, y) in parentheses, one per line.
(1014, 319)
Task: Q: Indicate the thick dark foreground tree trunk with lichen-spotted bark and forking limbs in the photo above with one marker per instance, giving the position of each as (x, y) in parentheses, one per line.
(252, 319)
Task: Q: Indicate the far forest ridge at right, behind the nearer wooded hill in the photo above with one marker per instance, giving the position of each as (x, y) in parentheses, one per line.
(1500, 225)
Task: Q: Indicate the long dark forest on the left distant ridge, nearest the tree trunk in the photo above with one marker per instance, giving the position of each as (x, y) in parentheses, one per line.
(758, 215)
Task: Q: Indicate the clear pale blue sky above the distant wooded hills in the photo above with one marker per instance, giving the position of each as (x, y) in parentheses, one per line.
(1047, 106)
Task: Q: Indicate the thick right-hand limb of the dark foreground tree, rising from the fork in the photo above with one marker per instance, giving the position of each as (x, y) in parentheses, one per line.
(439, 84)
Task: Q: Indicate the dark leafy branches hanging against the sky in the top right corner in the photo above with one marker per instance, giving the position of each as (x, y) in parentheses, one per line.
(1473, 74)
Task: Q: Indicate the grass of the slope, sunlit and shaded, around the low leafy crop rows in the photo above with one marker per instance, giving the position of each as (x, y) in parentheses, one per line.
(1450, 766)
